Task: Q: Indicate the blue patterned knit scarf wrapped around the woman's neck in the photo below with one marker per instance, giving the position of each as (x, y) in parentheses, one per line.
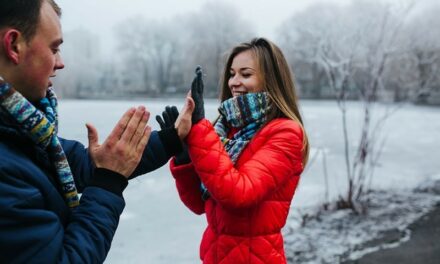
(247, 113)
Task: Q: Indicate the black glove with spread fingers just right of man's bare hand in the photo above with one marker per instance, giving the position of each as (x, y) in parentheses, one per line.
(166, 123)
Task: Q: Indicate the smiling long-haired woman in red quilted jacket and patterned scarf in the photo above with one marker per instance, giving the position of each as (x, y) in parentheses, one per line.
(244, 169)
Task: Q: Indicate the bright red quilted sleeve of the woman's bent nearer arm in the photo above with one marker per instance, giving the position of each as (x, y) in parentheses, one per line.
(276, 156)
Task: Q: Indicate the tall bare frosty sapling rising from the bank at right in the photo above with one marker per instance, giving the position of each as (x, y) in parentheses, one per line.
(352, 46)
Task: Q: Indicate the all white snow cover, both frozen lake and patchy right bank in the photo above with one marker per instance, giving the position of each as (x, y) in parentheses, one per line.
(156, 228)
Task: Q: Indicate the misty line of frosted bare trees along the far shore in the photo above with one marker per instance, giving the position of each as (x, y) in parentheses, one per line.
(334, 51)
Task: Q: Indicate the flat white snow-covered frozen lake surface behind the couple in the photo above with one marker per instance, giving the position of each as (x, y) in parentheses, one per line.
(155, 226)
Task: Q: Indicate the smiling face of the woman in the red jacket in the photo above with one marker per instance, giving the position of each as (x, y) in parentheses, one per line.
(244, 74)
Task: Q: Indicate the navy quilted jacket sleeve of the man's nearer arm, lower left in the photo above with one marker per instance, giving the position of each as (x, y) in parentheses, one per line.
(30, 233)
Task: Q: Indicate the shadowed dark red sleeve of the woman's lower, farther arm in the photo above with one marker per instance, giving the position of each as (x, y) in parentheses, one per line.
(188, 186)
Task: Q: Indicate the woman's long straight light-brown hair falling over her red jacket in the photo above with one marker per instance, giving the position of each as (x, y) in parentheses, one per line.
(277, 82)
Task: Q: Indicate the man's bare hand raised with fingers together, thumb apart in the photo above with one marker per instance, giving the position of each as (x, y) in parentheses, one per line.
(123, 148)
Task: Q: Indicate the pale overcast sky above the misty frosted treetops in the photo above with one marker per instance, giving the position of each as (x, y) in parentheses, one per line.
(100, 16)
